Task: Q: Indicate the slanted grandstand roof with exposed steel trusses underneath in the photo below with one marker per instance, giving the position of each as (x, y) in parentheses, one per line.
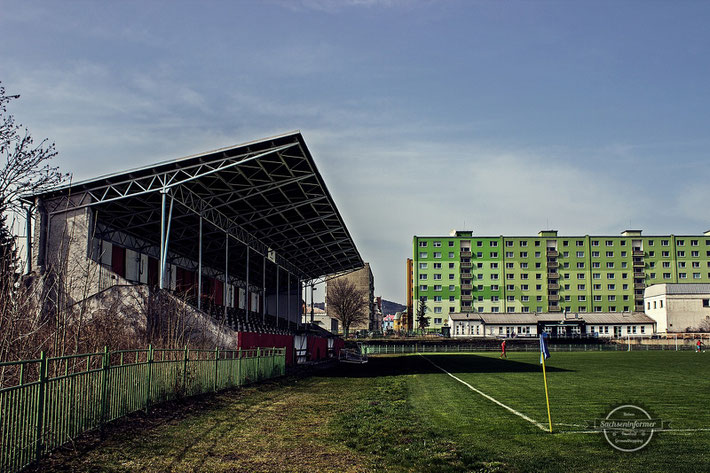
(268, 194)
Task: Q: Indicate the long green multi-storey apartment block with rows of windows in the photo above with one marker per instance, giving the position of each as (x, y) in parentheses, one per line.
(549, 273)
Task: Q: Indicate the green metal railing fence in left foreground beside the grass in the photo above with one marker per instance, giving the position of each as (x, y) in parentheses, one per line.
(45, 403)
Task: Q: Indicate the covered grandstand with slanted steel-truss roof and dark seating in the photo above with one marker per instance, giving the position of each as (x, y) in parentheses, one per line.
(236, 233)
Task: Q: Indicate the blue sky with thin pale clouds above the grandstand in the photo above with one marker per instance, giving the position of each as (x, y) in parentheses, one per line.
(501, 117)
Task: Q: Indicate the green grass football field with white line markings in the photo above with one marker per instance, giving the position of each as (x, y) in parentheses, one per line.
(403, 413)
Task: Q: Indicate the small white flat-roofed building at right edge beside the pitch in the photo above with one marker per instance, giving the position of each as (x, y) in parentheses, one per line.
(678, 307)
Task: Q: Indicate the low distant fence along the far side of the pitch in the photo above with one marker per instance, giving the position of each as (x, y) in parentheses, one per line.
(383, 349)
